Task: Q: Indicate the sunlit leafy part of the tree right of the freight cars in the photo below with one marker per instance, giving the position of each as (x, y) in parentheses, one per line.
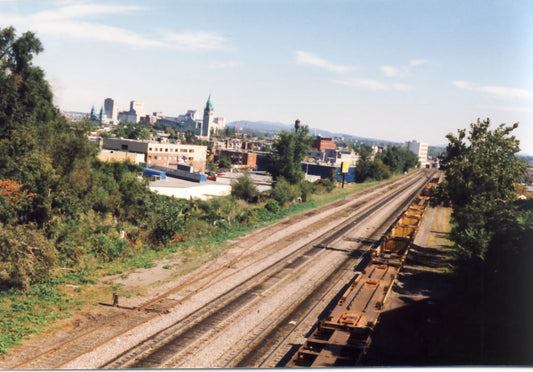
(481, 170)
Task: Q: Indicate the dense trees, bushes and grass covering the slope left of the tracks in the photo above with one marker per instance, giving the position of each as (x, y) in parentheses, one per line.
(67, 218)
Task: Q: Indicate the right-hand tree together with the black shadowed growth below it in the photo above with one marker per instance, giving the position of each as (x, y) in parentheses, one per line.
(492, 234)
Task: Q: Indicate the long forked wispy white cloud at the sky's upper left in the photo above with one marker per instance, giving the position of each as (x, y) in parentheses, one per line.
(65, 22)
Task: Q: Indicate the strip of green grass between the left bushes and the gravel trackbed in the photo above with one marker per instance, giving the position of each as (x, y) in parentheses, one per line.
(32, 312)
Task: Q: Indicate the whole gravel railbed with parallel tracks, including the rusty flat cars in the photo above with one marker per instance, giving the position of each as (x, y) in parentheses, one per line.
(255, 305)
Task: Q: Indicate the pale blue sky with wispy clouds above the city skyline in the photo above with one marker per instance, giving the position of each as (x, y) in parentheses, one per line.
(395, 70)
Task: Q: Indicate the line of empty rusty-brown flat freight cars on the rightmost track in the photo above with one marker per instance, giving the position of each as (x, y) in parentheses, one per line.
(341, 338)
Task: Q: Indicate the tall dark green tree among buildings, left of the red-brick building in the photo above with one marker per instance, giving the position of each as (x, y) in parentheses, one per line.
(288, 152)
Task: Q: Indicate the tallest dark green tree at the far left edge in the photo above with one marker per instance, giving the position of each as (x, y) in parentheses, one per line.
(26, 109)
